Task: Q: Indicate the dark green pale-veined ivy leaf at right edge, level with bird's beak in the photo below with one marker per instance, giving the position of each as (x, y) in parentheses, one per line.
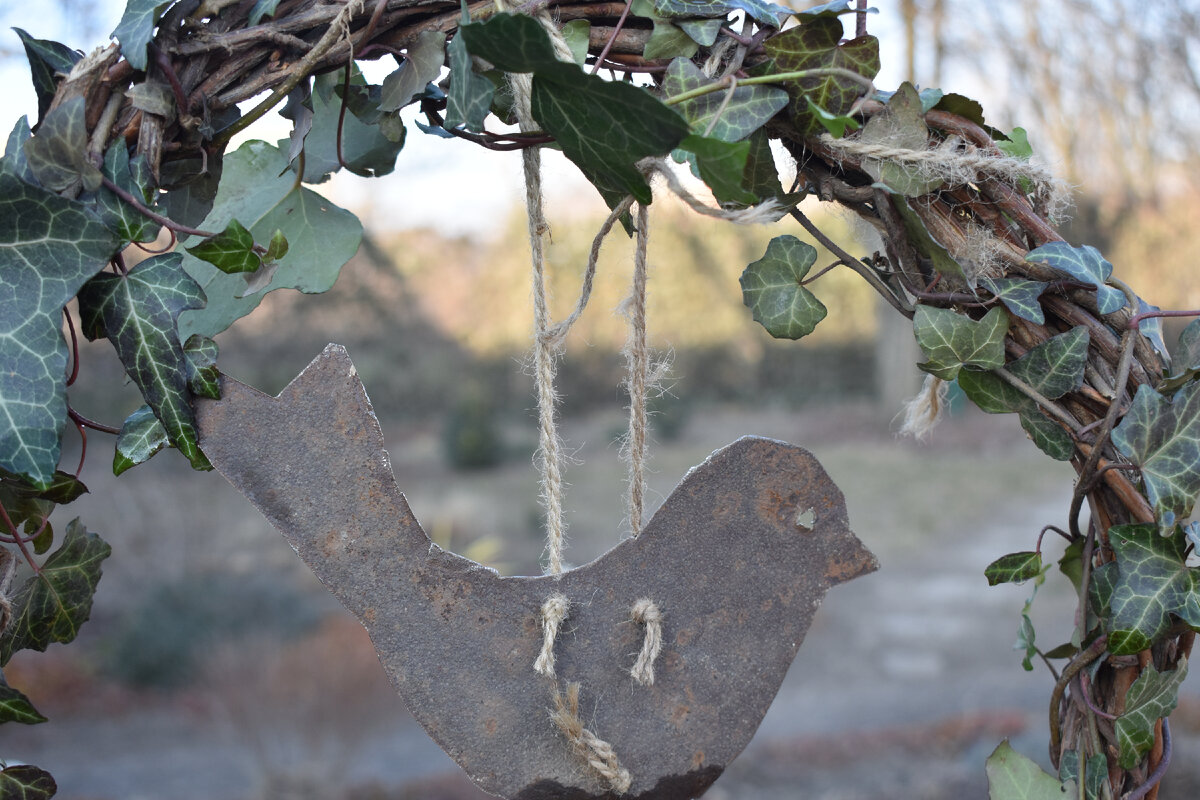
(1154, 582)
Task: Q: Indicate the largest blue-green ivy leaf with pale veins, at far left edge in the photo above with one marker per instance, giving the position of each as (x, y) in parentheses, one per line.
(50, 246)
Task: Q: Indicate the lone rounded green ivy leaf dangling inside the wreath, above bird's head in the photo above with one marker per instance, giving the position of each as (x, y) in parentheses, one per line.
(771, 288)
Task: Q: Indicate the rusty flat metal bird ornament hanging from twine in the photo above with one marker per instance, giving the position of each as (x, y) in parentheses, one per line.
(734, 566)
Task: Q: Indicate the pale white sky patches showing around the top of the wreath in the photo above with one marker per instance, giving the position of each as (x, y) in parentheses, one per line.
(449, 185)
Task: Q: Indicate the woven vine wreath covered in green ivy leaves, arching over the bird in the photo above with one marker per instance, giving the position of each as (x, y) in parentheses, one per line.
(131, 141)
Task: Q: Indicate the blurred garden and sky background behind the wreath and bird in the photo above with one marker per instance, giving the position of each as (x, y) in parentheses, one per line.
(215, 666)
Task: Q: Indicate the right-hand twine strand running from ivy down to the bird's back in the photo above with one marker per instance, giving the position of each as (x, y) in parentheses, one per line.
(638, 368)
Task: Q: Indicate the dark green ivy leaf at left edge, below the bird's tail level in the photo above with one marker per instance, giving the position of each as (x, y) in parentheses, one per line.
(53, 604)
